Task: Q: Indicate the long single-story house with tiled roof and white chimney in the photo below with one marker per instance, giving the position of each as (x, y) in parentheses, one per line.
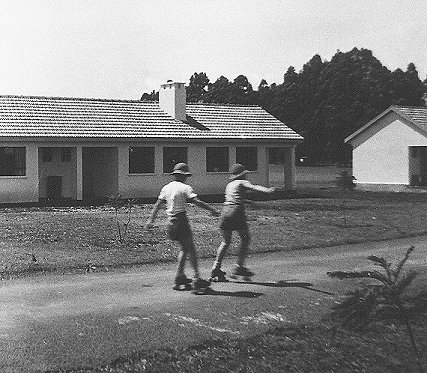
(77, 149)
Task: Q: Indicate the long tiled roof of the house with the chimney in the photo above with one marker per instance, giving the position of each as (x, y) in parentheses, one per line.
(29, 116)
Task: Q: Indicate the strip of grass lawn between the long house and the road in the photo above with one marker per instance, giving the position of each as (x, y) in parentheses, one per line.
(73, 238)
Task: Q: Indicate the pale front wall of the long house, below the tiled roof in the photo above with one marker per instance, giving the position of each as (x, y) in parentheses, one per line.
(115, 156)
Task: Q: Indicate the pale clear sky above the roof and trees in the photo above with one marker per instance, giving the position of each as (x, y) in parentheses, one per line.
(120, 49)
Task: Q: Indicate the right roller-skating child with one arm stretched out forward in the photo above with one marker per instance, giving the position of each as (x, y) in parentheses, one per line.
(233, 218)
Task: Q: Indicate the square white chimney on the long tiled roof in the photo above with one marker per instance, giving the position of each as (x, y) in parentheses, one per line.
(172, 99)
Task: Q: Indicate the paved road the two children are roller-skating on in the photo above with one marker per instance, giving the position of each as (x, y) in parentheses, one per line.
(52, 322)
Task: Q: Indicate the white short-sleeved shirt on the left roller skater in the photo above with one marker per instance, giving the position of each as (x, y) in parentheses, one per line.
(176, 194)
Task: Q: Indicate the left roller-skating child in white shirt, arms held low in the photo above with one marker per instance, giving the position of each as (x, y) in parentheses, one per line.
(176, 194)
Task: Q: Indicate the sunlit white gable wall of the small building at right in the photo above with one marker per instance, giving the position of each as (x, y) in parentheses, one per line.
(381, 153)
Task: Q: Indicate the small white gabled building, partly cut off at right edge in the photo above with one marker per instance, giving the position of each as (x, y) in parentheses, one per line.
(390, 152)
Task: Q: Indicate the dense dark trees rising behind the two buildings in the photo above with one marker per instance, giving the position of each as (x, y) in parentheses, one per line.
(325, 102)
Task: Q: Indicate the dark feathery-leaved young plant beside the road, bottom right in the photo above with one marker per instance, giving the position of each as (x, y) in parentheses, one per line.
(386, 299)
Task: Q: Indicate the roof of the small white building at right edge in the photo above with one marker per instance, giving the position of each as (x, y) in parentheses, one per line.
(417, 115)
